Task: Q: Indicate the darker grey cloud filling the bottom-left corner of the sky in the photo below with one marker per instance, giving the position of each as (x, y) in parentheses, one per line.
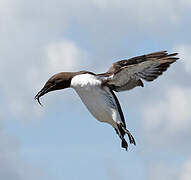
(12, 166)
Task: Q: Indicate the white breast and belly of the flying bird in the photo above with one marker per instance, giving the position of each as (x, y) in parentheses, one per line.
(98, 100)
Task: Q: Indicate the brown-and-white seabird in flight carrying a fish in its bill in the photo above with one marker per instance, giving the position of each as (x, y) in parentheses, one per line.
(97, 90)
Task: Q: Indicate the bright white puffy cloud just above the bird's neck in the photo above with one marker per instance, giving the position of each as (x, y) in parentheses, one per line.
(65, 56)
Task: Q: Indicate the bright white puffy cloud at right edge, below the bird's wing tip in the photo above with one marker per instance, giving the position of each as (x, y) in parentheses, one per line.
(172, 110)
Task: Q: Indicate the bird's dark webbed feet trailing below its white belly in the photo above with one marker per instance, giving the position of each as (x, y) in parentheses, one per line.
(121, 131)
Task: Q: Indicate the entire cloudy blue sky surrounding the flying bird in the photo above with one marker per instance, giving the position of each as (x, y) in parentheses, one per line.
(61, 140)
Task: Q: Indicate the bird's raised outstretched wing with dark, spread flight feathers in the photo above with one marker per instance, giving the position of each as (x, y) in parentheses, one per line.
(127, 74)
